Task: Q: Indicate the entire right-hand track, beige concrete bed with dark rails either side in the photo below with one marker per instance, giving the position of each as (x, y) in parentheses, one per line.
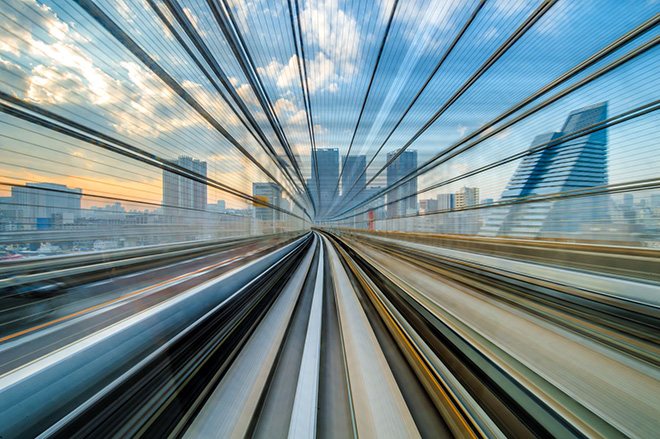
(530, 366)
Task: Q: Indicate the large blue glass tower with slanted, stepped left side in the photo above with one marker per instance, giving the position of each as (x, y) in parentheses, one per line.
(576, 164)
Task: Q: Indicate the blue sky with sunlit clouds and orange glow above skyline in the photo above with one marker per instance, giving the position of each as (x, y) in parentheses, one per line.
(235, 98)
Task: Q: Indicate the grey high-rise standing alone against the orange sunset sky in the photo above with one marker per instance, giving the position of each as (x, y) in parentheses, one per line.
(181, 193)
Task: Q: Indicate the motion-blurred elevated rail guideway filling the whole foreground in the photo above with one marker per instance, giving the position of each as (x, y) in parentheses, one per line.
(338, 337)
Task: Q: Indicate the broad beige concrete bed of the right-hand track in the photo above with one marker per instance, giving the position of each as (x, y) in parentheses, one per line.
(587, 383)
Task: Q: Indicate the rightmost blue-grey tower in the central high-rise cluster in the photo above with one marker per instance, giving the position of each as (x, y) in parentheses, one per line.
(403, 164)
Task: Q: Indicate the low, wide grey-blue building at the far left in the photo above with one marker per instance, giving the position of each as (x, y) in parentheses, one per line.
(43, 200)
